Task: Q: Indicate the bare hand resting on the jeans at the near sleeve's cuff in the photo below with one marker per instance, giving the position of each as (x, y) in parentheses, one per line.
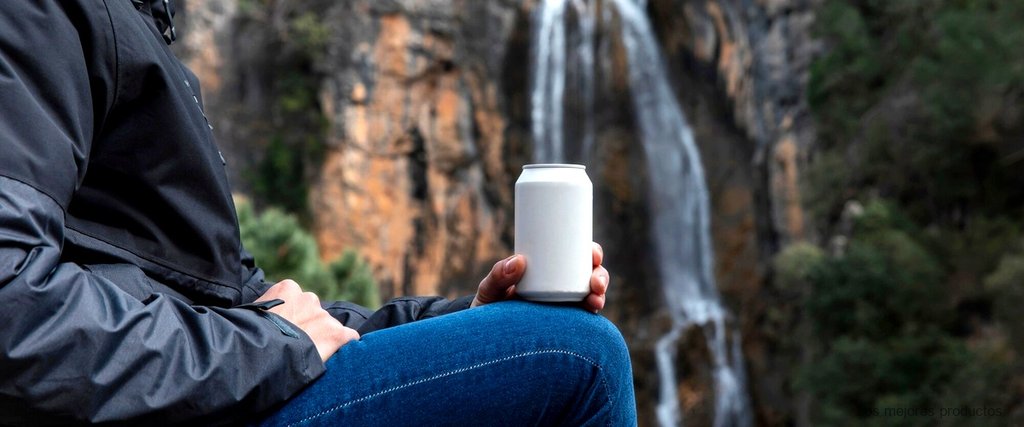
(304, 310)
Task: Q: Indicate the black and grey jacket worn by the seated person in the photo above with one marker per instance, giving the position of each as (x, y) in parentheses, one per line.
(123, 280)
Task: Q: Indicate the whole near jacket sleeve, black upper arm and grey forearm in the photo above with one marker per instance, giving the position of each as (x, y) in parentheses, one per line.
(74, 348)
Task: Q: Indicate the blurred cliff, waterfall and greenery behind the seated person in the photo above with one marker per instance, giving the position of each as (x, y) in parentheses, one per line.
(813, 210)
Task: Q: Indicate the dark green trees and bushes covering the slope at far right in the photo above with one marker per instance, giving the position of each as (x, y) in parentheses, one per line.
(913, 300)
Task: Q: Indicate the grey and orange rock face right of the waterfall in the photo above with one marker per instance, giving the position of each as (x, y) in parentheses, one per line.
(749, 61)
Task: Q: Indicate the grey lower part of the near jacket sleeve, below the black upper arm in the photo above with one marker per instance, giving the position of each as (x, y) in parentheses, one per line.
(74, 348)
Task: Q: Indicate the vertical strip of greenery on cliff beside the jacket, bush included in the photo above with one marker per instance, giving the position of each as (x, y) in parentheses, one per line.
(293, 143)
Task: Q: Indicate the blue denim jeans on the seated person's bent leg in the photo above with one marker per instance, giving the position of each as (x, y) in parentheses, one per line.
(505, 364)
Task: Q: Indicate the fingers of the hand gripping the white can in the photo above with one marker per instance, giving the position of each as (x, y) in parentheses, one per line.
(500, 283)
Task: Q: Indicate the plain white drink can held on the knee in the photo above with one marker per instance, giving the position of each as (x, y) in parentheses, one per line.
(554, 210)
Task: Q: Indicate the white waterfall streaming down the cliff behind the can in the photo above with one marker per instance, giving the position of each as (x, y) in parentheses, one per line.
(679, 201)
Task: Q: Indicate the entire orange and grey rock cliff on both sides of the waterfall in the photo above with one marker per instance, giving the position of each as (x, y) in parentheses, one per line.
(428, 112)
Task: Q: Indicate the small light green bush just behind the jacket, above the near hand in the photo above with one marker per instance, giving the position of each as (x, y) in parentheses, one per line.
(284, 250)
